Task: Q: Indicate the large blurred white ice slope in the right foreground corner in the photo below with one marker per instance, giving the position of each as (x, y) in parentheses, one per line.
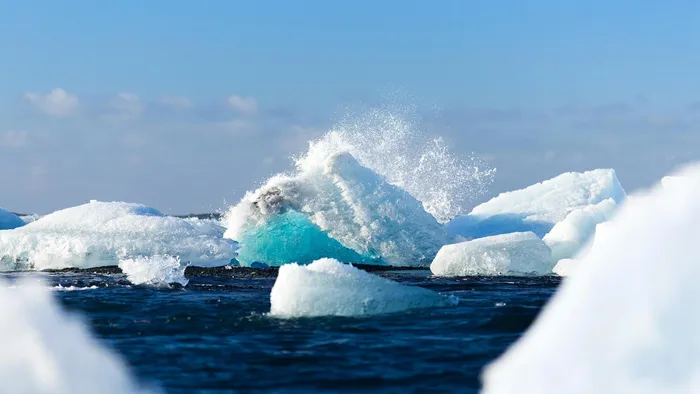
(627, 321)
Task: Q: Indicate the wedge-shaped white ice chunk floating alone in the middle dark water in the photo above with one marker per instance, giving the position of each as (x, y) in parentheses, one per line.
(327, 287)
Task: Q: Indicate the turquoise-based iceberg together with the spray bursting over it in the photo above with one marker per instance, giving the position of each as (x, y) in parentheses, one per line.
(374, 184)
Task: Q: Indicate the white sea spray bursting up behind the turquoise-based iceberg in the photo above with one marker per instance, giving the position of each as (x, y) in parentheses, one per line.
(389, 140)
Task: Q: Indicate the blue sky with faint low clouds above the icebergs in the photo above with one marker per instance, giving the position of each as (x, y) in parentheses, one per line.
(183, 104)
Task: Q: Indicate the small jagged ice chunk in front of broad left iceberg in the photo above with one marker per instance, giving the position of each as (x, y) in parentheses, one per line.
(154, 270)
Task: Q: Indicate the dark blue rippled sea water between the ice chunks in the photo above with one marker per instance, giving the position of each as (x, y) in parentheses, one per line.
(213, 336)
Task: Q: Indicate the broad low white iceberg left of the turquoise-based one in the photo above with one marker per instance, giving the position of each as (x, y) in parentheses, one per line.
(102, 233)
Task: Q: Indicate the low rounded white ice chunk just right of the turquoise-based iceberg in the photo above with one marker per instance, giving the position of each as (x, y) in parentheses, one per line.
(506, 254)
